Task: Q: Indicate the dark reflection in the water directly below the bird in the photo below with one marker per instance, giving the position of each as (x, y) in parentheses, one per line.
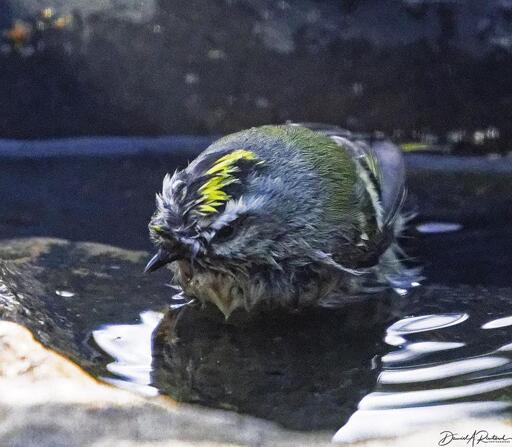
(306, 370)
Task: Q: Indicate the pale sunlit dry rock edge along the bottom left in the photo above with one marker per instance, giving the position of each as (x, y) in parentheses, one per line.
(46, 401)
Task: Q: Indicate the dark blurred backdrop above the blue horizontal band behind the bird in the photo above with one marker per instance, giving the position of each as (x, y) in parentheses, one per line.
(147, 67)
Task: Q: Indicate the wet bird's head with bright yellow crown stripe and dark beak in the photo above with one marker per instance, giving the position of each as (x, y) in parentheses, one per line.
(212, 228)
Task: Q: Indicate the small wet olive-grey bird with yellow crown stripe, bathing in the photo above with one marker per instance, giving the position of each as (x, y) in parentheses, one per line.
(284, 216)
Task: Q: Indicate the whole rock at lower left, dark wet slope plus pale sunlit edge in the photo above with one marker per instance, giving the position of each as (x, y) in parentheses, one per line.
(45, 400)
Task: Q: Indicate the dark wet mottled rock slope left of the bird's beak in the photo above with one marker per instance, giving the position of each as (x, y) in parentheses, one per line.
(59, 289)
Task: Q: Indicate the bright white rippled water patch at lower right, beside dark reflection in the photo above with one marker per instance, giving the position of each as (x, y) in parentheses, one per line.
(444, 368)
